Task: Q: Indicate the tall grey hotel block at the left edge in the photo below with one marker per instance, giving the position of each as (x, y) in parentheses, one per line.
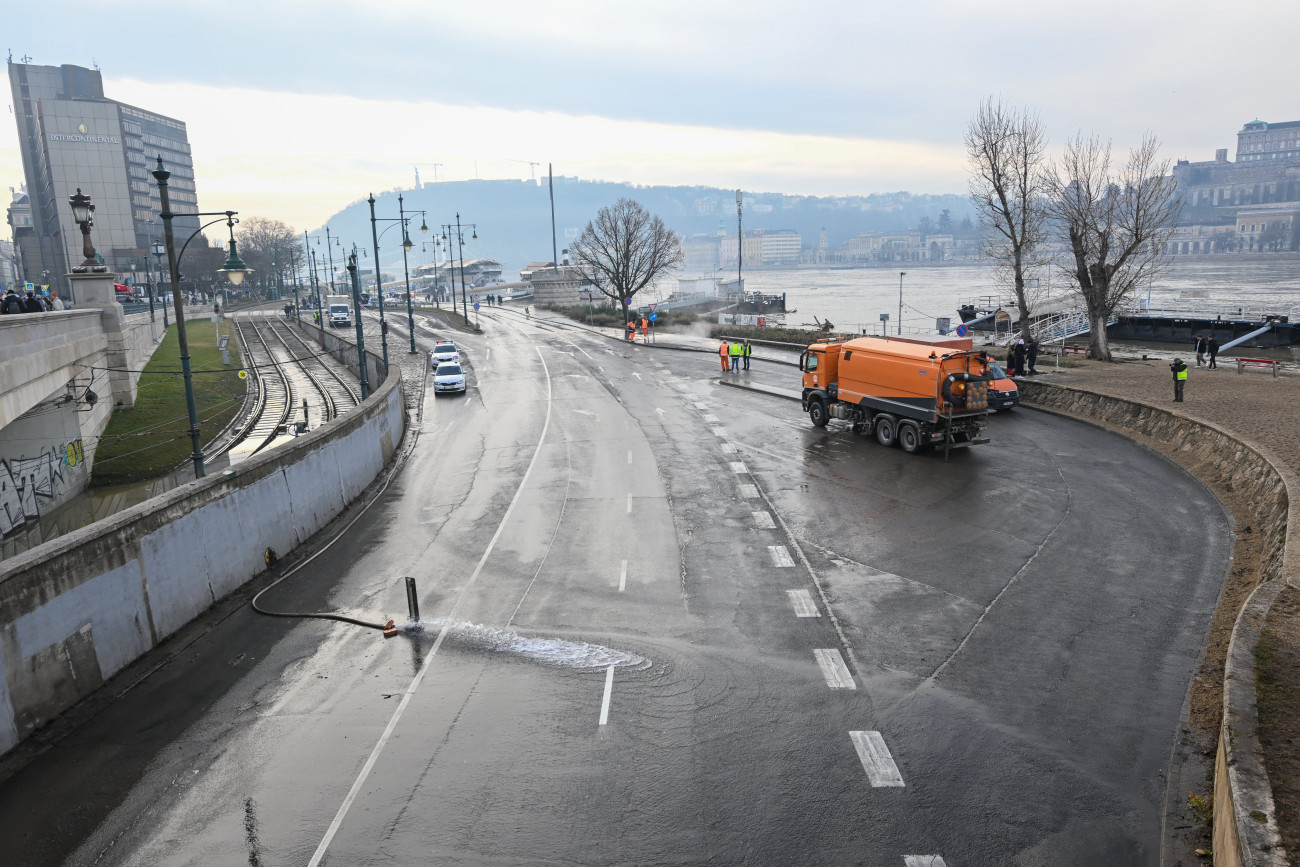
(73, 137)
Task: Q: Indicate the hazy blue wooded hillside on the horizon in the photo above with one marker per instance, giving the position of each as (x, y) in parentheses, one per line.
(514, 218)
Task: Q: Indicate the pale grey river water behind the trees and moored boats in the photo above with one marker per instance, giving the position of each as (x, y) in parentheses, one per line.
(855, 298)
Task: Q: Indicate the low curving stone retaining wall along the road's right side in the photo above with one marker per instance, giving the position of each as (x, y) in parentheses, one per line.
(1246, 830)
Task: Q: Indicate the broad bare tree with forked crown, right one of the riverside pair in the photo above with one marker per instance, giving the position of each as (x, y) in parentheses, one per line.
(1115, 226)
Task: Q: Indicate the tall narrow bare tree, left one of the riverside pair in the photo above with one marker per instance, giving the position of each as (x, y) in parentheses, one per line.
(1007, 150)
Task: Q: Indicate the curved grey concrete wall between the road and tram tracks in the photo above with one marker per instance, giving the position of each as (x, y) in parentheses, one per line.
(79, 609)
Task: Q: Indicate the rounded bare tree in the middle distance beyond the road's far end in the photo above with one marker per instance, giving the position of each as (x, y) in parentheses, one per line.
(623, 250)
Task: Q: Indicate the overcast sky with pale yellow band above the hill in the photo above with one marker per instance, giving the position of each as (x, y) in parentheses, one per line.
(294, 110)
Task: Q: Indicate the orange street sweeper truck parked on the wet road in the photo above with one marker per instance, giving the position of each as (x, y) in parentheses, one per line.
(912, 393)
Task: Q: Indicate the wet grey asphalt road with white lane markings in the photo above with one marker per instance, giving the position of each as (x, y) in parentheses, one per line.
(613, 554)
